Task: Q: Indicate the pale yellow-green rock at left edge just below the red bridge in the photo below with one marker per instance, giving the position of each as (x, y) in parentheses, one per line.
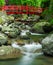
(5, 18)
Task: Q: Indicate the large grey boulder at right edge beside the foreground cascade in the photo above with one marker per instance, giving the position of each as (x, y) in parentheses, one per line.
(47, 45)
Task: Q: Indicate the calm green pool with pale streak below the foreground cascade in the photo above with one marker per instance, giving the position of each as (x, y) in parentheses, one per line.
(30, 59)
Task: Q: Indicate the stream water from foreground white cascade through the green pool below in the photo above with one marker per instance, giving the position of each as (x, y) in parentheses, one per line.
(32, 55)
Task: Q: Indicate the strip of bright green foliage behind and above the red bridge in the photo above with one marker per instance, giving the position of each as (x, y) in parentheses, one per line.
(36, 3)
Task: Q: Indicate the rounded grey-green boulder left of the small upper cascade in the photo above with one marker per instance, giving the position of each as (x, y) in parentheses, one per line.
(11, 32)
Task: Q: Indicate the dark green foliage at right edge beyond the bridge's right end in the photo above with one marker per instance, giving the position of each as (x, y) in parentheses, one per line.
(48, 14)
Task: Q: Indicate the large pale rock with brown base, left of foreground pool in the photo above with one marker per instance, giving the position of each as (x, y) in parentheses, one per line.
(8, 52)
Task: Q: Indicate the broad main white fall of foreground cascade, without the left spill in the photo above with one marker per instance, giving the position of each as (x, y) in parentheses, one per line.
(31, 48)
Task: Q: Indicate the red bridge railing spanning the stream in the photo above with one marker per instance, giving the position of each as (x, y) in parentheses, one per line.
(13, 9)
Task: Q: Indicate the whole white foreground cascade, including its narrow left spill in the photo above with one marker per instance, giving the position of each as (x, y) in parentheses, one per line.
(28, 48)
